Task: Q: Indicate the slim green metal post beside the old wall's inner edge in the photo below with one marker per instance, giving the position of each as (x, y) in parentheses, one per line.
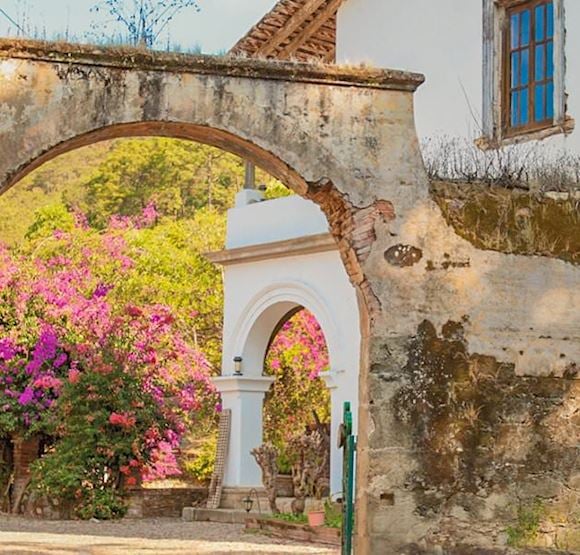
(348, 444)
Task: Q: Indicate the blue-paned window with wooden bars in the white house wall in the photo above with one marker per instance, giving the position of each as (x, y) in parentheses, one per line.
(529, 91)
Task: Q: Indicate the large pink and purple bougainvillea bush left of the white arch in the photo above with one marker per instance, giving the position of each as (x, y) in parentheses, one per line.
(67, 343)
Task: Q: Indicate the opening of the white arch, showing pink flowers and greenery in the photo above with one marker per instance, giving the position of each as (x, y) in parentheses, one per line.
(297, 407)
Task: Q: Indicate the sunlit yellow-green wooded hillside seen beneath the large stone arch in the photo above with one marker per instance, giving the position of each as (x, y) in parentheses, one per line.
(122, 177)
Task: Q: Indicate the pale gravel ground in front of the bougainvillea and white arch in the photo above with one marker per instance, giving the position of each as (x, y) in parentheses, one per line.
(20, 536)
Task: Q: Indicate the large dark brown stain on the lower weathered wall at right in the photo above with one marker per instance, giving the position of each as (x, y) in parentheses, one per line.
(486, 439)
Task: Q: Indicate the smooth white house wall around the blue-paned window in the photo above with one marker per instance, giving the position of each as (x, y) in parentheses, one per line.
(443, 40)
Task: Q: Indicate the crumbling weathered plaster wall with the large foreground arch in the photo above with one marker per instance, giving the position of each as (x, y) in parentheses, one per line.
(468, 378)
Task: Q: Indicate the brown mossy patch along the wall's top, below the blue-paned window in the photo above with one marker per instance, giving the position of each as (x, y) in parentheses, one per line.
(510, 221)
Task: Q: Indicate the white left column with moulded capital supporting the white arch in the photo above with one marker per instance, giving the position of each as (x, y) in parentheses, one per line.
(244, 396)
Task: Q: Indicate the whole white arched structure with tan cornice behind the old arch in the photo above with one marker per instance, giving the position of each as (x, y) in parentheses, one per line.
(280, 257)
